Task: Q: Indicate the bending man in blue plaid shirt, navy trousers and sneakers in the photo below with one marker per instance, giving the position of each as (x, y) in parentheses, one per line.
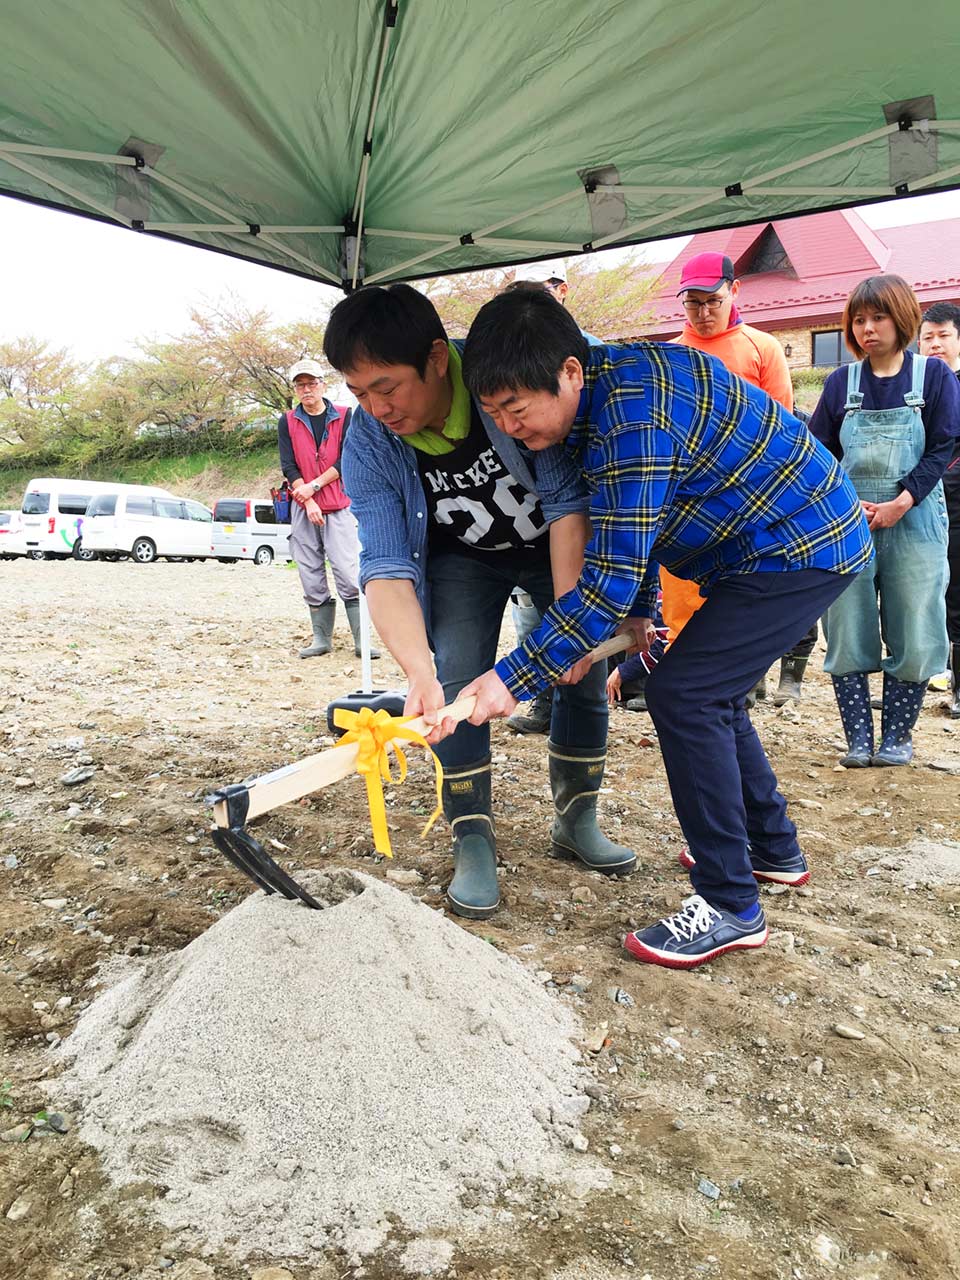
(694, 469)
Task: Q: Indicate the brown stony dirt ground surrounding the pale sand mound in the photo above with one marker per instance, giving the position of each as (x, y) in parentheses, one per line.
(747, 1136)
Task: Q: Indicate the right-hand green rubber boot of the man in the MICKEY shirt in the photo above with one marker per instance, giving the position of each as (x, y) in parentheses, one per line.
(577, 775)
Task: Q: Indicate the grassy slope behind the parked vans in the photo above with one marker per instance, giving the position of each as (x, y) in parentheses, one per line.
(205, 477)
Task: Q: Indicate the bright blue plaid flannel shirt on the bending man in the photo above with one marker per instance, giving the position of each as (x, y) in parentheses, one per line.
(691, 468)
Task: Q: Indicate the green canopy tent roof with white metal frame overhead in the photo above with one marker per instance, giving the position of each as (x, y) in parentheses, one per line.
(382, 140)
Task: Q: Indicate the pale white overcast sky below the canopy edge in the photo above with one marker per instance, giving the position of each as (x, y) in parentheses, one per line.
(98, 290)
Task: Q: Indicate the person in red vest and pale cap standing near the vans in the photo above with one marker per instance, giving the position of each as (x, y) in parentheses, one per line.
(322, 524)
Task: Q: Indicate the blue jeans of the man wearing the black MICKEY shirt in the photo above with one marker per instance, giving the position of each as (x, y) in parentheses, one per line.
(468, 598)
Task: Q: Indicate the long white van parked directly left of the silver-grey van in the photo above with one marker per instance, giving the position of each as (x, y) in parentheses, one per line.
(145, 524)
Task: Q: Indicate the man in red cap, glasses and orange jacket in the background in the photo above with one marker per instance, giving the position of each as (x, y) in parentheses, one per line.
(710, 289)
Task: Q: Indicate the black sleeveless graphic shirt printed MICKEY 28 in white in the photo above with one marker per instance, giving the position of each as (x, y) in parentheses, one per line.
(474, 502)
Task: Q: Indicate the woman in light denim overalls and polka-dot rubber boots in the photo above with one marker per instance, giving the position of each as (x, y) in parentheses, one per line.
(894, 436)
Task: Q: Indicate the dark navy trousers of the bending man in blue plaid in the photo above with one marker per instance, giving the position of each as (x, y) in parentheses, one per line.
(724, 789)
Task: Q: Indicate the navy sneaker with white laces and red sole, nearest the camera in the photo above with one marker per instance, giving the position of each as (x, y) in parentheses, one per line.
(696, 935)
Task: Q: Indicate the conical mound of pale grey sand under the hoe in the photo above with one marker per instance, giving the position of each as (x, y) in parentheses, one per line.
(296, 1077)
